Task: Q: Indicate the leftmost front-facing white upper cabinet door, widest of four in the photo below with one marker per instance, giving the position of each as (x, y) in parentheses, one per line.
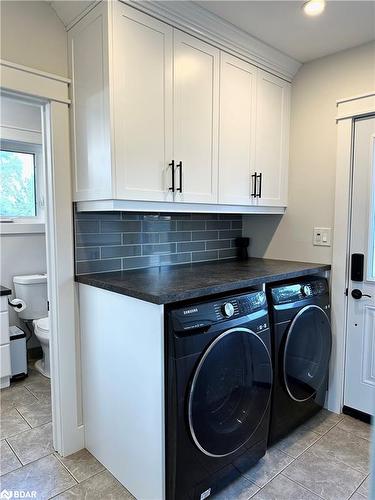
(142, 105)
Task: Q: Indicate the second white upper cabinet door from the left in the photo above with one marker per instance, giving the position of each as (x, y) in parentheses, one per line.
(196, 105)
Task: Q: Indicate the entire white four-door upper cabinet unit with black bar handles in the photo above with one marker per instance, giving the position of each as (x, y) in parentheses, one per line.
(161, 116)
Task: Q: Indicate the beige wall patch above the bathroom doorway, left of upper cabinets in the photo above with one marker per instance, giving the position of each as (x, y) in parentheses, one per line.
(33, 35)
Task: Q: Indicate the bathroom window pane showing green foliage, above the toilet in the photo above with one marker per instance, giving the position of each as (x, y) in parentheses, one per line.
(17, 184)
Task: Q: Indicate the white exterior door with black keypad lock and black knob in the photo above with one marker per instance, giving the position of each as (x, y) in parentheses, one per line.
(360, 351)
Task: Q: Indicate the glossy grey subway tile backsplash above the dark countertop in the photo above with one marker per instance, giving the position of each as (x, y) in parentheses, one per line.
(112, 241)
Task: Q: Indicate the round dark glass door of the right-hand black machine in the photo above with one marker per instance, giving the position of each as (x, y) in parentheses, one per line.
(307, 352)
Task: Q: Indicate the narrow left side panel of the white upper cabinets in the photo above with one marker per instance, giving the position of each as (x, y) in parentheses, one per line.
(88, 52)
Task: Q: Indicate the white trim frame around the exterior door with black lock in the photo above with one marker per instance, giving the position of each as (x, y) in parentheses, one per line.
(348, 110)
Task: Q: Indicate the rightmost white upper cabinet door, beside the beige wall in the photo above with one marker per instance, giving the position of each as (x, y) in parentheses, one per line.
(272, 138)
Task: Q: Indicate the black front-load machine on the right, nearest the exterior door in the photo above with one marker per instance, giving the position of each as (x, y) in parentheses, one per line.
(301, 349)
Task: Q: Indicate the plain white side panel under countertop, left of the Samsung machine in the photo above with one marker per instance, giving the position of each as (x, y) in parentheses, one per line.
(123, 388)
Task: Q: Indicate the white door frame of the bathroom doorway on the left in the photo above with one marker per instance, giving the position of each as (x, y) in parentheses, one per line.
(52, 92)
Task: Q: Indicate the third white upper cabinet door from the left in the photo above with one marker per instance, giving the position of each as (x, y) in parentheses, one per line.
(237, 130)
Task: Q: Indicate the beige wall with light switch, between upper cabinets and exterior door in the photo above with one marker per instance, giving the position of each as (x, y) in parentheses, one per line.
(315, 89)
